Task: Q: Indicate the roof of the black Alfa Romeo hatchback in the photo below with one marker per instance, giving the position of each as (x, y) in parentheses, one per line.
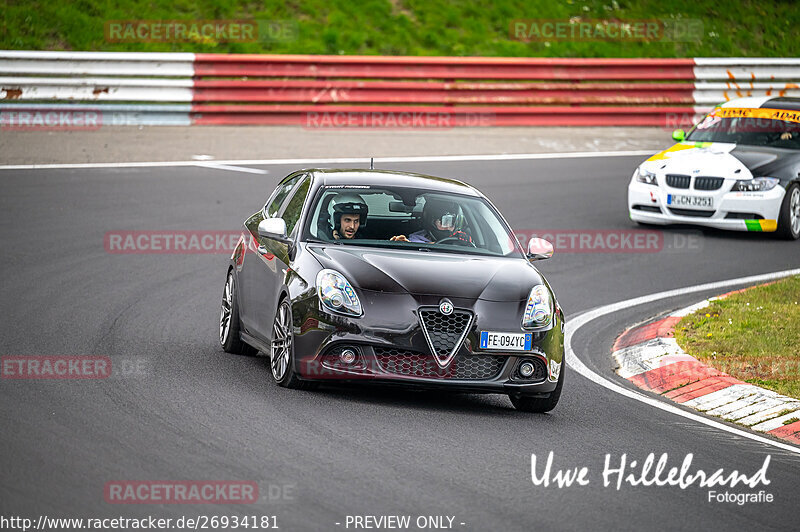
(357, 177)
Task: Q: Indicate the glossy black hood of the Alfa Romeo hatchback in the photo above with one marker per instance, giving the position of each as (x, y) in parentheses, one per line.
(431, 273)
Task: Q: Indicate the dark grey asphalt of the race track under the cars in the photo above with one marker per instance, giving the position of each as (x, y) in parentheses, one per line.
(197, 413)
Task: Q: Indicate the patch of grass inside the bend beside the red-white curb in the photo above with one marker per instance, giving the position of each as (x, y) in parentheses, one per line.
(753, 336)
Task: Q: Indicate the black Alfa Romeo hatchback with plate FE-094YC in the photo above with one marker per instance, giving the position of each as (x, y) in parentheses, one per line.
(393, 278)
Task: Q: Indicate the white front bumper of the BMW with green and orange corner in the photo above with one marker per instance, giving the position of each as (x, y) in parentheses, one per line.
(736, 211)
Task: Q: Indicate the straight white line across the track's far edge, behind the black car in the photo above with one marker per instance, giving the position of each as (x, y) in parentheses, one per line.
(344, 160)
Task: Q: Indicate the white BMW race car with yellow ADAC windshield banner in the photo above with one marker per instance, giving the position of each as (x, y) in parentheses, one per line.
(738, 169)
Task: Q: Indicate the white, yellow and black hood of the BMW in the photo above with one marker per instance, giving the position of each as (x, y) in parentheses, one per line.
(725, 160)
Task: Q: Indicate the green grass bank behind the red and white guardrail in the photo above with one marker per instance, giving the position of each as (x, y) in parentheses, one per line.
(410, 27)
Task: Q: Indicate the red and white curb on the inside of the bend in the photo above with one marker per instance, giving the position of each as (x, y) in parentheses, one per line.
(649, 357)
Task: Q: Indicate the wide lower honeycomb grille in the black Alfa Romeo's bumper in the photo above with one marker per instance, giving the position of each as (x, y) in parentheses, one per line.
(463, 367)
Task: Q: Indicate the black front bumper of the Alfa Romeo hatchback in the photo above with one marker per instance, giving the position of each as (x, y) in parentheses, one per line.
(392, 349)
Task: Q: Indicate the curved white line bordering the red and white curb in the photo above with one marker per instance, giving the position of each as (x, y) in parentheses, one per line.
(576, 364)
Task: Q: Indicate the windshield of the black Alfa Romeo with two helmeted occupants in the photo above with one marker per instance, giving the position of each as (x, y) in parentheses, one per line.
(409, 218)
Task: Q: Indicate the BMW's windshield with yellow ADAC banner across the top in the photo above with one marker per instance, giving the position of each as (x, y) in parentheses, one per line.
(755, 127)
